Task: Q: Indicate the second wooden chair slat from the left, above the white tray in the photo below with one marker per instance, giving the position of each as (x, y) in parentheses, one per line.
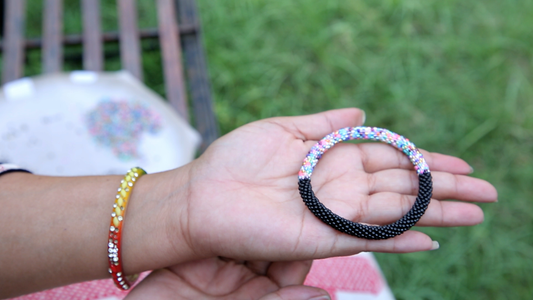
(53, 36)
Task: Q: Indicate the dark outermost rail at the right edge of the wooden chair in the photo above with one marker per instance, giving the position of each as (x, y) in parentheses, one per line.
(197, 74)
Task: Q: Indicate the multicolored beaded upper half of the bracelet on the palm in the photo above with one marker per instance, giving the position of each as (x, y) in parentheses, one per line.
(362, 133)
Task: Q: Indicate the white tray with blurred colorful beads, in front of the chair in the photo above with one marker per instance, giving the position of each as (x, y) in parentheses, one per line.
(45, 126)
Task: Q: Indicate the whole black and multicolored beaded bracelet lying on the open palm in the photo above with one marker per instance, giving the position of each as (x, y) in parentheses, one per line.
(356, 229)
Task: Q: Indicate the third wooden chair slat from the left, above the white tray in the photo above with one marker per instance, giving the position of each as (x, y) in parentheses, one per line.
(92, 36)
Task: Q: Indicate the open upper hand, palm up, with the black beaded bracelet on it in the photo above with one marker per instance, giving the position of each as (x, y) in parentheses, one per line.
(243, 199)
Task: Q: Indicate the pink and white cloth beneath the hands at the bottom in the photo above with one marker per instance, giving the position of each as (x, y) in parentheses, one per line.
(345, 278)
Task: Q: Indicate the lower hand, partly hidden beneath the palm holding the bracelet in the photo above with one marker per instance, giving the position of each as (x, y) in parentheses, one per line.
(216, 278)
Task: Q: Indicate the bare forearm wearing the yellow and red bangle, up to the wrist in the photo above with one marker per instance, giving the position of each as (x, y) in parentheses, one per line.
(54, 230)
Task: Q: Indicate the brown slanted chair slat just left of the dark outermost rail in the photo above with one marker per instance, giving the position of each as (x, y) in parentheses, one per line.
(171, 49)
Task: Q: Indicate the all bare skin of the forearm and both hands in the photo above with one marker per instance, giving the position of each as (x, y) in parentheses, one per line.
(231, 224)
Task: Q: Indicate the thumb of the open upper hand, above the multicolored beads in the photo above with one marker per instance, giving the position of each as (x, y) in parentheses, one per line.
(316, 126)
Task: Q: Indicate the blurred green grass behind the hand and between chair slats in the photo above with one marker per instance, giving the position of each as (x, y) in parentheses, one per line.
(453, 76)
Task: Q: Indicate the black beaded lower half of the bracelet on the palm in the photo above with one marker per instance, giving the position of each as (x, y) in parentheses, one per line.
(369, 232)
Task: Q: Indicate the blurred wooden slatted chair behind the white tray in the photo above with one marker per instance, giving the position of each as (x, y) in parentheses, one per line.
(177, 36)
